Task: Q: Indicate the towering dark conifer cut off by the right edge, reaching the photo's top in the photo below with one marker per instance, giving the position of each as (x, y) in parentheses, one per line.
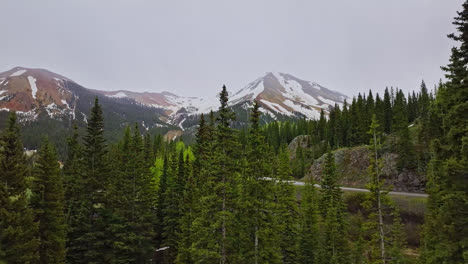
(446, 222)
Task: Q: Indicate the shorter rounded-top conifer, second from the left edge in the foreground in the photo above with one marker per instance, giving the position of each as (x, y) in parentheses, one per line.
(49, 205)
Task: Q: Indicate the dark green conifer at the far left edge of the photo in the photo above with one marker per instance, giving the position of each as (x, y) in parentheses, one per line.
(18, 231)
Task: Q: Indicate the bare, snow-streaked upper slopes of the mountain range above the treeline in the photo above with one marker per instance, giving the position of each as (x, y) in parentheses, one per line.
(32, 92)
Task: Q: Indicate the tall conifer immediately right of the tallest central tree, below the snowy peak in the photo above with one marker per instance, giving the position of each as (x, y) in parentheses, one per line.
(256, 203)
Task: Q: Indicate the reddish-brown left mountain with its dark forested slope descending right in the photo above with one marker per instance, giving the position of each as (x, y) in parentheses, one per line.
(48, 104)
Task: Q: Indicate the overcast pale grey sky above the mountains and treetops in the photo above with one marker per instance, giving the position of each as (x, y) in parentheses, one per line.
(193, 47)
